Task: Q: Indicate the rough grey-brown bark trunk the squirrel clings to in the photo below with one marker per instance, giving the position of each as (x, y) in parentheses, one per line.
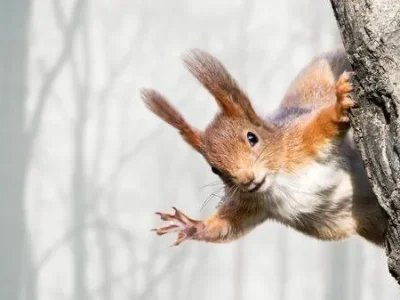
(371, 34)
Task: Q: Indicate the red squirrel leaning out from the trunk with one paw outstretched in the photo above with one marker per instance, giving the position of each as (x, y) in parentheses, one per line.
(299, 166)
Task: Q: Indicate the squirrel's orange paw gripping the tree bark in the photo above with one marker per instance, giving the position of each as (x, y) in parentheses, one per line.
(344, 86)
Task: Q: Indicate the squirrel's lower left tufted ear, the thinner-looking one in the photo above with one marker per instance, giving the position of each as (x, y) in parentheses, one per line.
(159, 105)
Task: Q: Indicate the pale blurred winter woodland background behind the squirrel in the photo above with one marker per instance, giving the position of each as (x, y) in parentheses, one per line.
(84, 165)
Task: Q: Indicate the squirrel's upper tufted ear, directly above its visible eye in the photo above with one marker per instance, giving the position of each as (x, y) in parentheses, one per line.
(217, 80)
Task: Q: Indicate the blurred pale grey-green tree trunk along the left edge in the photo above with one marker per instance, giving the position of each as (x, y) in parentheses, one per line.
(14, 19)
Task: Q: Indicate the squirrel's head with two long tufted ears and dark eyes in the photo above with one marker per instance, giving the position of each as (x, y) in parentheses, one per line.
(241, 148)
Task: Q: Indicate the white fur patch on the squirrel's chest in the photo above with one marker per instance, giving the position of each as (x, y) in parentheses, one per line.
(320, 184)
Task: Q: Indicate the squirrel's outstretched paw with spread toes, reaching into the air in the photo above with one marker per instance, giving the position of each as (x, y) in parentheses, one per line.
(186, 227)
